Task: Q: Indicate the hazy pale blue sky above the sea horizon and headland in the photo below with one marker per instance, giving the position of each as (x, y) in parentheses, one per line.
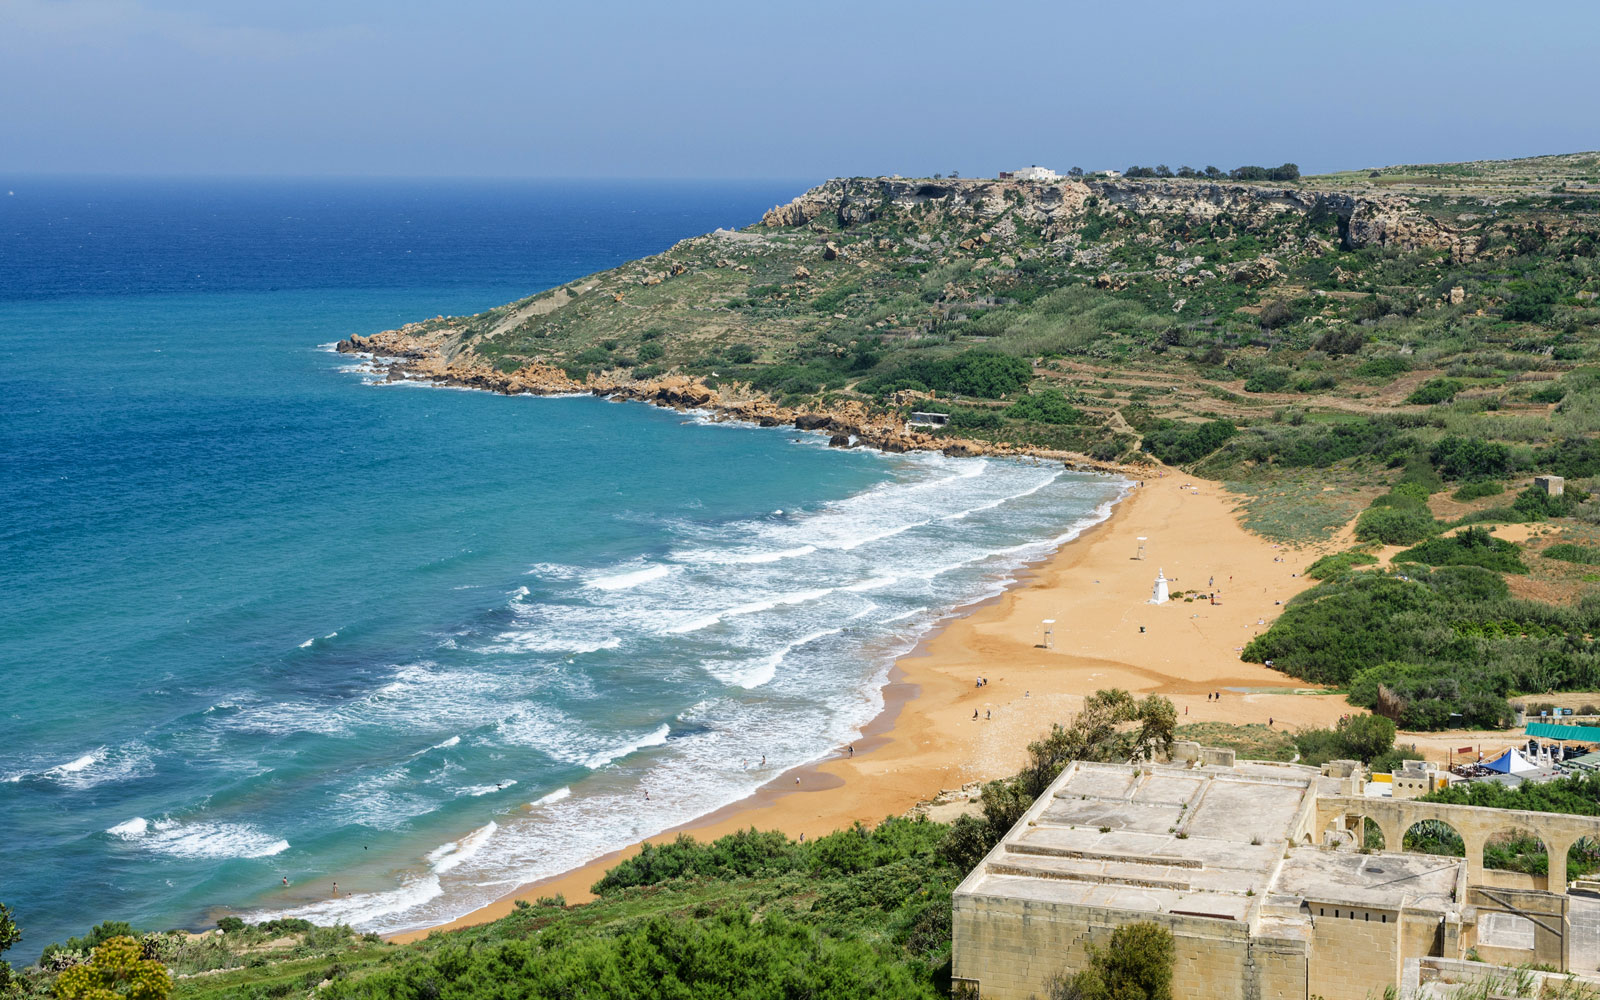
(703, 89)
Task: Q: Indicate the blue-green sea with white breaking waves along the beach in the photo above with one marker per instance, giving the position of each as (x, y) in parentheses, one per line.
(265, 620)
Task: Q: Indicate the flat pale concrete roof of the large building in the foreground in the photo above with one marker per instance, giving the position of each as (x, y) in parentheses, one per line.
(1198, 841)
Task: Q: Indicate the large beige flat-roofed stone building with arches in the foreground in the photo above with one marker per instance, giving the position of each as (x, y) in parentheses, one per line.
(1258, 871)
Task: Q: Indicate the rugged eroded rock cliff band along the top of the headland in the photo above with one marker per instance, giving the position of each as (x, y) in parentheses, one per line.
(1060, 209)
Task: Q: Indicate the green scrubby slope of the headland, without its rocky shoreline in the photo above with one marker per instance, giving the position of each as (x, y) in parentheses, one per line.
(1130, 334)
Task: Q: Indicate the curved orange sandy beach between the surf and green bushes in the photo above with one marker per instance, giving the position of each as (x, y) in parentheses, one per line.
(1106, 636)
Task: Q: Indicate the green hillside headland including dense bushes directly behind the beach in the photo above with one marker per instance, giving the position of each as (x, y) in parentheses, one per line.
(1415, 342)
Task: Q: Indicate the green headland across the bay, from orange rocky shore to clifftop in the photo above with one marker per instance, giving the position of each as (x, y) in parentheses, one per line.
(1138, 300)
